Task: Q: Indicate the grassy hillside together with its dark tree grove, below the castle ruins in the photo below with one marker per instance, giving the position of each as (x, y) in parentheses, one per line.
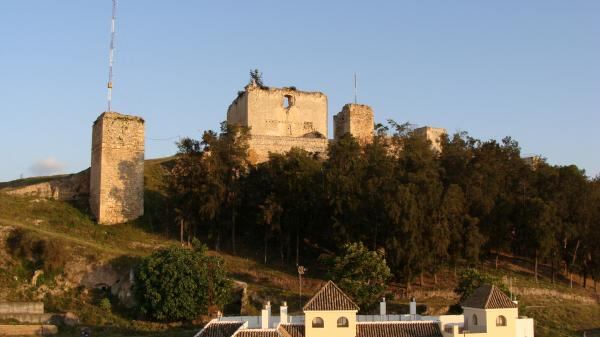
(475, 205)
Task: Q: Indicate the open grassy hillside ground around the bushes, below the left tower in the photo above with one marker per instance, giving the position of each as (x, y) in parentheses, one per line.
(557, 309)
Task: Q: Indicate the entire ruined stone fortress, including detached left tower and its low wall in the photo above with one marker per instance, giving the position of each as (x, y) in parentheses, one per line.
(278, 119)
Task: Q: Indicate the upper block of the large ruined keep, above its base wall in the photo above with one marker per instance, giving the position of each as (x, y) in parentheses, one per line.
(280, 112)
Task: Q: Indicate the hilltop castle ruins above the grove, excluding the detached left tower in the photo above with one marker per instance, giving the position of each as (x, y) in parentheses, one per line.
(282, 118)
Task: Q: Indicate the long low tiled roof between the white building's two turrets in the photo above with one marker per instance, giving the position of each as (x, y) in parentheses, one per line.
(398, 329)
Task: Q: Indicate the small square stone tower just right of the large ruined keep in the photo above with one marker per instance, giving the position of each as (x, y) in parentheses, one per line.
(357, 120)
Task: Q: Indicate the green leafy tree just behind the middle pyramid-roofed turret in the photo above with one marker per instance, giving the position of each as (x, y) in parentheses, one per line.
(361, 273)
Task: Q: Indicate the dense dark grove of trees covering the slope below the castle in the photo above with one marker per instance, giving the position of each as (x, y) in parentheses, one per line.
(424, 210)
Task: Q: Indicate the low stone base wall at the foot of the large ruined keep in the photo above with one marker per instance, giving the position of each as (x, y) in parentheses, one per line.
(261, 145)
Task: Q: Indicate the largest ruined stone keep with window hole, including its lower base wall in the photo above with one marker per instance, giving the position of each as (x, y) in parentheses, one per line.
(279, 119)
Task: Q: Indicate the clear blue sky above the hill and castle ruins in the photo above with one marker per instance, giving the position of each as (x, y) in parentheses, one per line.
(528, 69)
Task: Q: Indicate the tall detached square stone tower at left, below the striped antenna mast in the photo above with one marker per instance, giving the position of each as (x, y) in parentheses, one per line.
(117, 172)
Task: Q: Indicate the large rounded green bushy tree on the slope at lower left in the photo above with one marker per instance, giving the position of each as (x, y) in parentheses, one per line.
(180, 283)
